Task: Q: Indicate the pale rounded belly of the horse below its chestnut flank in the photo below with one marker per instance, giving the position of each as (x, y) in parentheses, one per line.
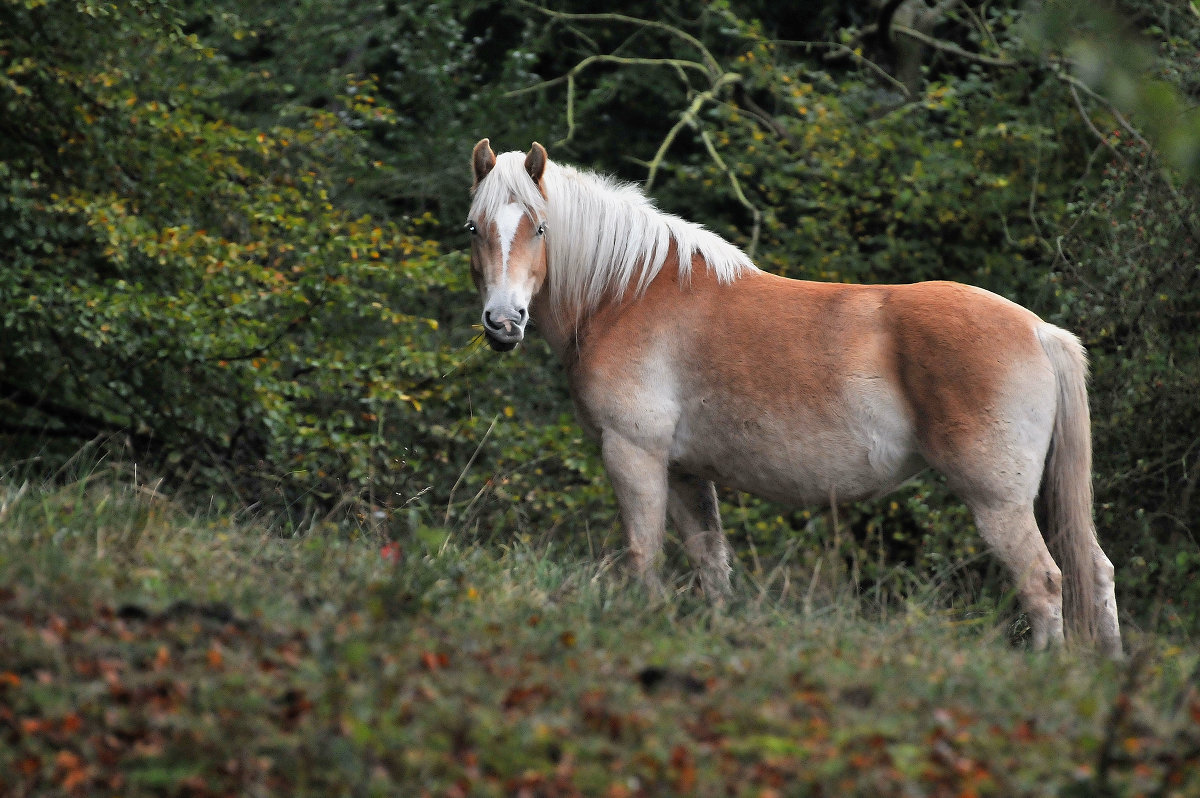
(860, 447)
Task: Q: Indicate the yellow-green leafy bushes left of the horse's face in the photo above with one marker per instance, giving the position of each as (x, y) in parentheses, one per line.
(194, 283)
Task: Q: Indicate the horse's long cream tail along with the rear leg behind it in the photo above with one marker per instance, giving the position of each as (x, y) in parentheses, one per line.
(1066, 500)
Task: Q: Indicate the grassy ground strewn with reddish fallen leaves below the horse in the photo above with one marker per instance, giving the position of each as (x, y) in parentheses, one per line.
(146, 652)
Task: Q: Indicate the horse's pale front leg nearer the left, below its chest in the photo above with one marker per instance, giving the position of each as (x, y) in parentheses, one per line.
(639, 477)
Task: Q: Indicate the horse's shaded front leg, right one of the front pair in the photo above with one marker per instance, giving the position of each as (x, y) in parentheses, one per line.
(694, 512)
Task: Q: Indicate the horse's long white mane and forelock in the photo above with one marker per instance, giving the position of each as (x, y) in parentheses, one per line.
(603, 236)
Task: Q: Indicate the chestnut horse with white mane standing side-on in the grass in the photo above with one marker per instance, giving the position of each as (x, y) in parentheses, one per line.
(693, 367)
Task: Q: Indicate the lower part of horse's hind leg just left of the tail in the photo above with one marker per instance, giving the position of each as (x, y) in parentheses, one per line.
(1012, 533)
